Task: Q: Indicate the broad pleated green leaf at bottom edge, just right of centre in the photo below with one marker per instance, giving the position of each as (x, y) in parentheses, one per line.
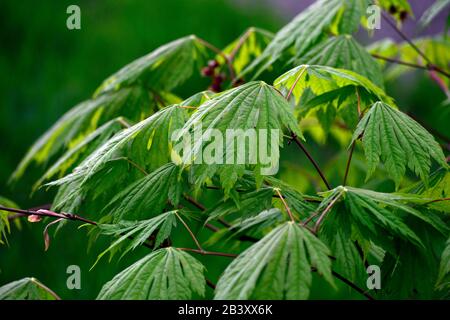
(276, 267)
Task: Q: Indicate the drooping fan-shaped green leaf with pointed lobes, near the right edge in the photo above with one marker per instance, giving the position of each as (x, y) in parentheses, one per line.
(398, 141)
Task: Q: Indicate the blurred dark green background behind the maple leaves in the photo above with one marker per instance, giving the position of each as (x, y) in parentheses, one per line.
(45, 69)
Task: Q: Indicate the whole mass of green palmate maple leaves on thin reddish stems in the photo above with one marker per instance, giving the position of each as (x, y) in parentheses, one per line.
(117, 156)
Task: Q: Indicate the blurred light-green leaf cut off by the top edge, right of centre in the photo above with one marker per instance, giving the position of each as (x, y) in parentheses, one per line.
(304, 31)
